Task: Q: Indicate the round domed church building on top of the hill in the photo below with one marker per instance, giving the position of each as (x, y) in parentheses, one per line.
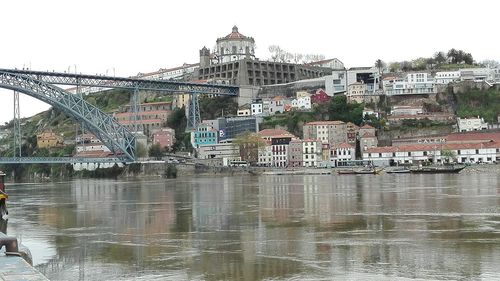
(235, 46)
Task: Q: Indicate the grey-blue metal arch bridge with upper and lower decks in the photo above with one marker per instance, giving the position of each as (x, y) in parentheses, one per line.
(42, 85)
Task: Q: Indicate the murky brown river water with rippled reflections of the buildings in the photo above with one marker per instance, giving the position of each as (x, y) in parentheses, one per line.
(269, 227)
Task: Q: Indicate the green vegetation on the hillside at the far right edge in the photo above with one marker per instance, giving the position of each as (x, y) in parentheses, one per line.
(483, 103)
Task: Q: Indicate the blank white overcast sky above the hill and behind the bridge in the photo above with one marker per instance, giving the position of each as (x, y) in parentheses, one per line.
(127, 37)
